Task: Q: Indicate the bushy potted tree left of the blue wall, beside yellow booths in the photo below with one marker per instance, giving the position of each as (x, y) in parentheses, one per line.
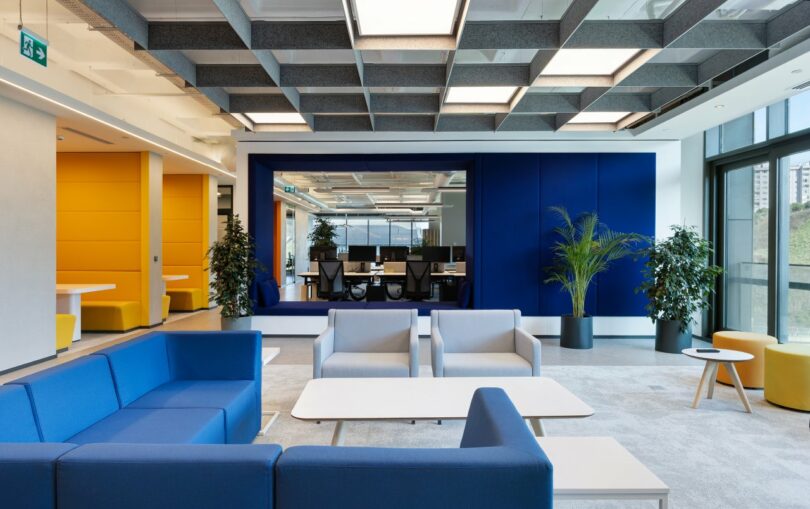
(234, 265)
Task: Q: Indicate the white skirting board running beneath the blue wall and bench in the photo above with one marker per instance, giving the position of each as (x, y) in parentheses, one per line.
(535, 325)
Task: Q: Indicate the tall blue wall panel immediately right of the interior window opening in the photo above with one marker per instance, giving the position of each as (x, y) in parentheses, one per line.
(508, 250)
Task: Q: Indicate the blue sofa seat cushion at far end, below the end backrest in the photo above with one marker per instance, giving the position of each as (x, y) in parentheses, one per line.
(234, 397)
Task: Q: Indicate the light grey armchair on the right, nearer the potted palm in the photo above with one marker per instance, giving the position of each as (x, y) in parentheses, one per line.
(482, 343)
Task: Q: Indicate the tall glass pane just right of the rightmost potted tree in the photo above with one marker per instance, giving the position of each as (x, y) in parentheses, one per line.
(746, 248)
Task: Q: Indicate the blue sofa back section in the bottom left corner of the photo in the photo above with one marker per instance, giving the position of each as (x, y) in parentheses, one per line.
(28, 473)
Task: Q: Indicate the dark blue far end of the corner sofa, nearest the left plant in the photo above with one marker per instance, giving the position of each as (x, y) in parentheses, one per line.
(217, 355)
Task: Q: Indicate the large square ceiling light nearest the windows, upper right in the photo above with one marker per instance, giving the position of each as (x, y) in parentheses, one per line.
(588, 62)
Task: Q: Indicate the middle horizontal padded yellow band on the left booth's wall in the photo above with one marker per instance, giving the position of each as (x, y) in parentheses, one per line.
(86, 225)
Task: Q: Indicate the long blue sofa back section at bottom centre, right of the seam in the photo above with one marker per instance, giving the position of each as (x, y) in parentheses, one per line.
(368, 478)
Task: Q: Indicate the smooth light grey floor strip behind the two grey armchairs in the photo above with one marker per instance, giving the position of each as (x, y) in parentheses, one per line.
(606, 352)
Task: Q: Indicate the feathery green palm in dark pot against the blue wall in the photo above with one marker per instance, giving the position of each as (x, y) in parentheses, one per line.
(584, 249)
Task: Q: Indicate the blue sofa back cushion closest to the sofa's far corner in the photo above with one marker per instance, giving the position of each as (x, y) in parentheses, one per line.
(138, 366)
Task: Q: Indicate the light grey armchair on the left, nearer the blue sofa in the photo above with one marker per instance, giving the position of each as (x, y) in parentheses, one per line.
(360, 343)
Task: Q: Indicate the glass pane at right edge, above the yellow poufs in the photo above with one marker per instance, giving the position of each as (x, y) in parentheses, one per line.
(798, 208)
